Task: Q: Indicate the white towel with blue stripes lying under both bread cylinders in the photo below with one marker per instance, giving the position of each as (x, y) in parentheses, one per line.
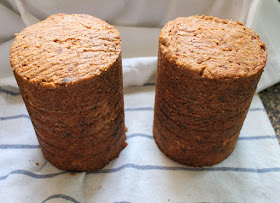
(142, 173)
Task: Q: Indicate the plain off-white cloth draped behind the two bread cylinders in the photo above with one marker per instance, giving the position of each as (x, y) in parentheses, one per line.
(140, 23)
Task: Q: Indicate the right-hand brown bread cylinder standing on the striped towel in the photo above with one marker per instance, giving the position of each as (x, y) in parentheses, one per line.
(207, 74)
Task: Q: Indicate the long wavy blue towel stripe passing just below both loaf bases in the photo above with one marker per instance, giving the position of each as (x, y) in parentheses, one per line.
(148, 168)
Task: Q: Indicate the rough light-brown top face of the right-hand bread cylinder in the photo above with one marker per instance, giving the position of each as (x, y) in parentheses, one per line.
(213, 47)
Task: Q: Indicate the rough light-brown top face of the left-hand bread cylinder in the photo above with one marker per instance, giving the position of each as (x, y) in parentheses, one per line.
(65, 49)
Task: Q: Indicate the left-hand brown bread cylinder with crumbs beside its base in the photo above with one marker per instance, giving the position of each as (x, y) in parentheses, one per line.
(69, 71)
